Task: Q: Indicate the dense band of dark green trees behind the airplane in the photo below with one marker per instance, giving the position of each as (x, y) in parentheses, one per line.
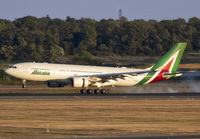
(45, 39)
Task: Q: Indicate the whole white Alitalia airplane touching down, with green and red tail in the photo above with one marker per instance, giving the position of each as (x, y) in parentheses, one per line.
(83, 76)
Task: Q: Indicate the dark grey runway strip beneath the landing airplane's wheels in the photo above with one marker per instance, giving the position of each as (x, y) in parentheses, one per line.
(104, 96)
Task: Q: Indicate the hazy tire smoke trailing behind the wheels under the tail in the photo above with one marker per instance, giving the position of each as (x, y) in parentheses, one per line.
(188, 82)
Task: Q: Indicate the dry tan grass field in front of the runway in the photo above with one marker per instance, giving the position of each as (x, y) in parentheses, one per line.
(60, 118)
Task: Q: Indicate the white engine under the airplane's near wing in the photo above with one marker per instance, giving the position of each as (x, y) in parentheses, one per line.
(80, 82)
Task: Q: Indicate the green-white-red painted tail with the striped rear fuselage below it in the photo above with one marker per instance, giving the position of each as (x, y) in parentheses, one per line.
(168, 64)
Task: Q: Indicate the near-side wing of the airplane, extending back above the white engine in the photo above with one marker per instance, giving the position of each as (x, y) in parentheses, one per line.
(102, 78)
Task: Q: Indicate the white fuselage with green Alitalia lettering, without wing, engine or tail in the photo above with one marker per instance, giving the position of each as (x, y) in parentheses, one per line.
(63, 72)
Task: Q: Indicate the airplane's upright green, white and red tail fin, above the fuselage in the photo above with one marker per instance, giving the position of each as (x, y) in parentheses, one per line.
(172, 59)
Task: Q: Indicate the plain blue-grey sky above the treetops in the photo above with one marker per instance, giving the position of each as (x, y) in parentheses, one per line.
(101, 9)
